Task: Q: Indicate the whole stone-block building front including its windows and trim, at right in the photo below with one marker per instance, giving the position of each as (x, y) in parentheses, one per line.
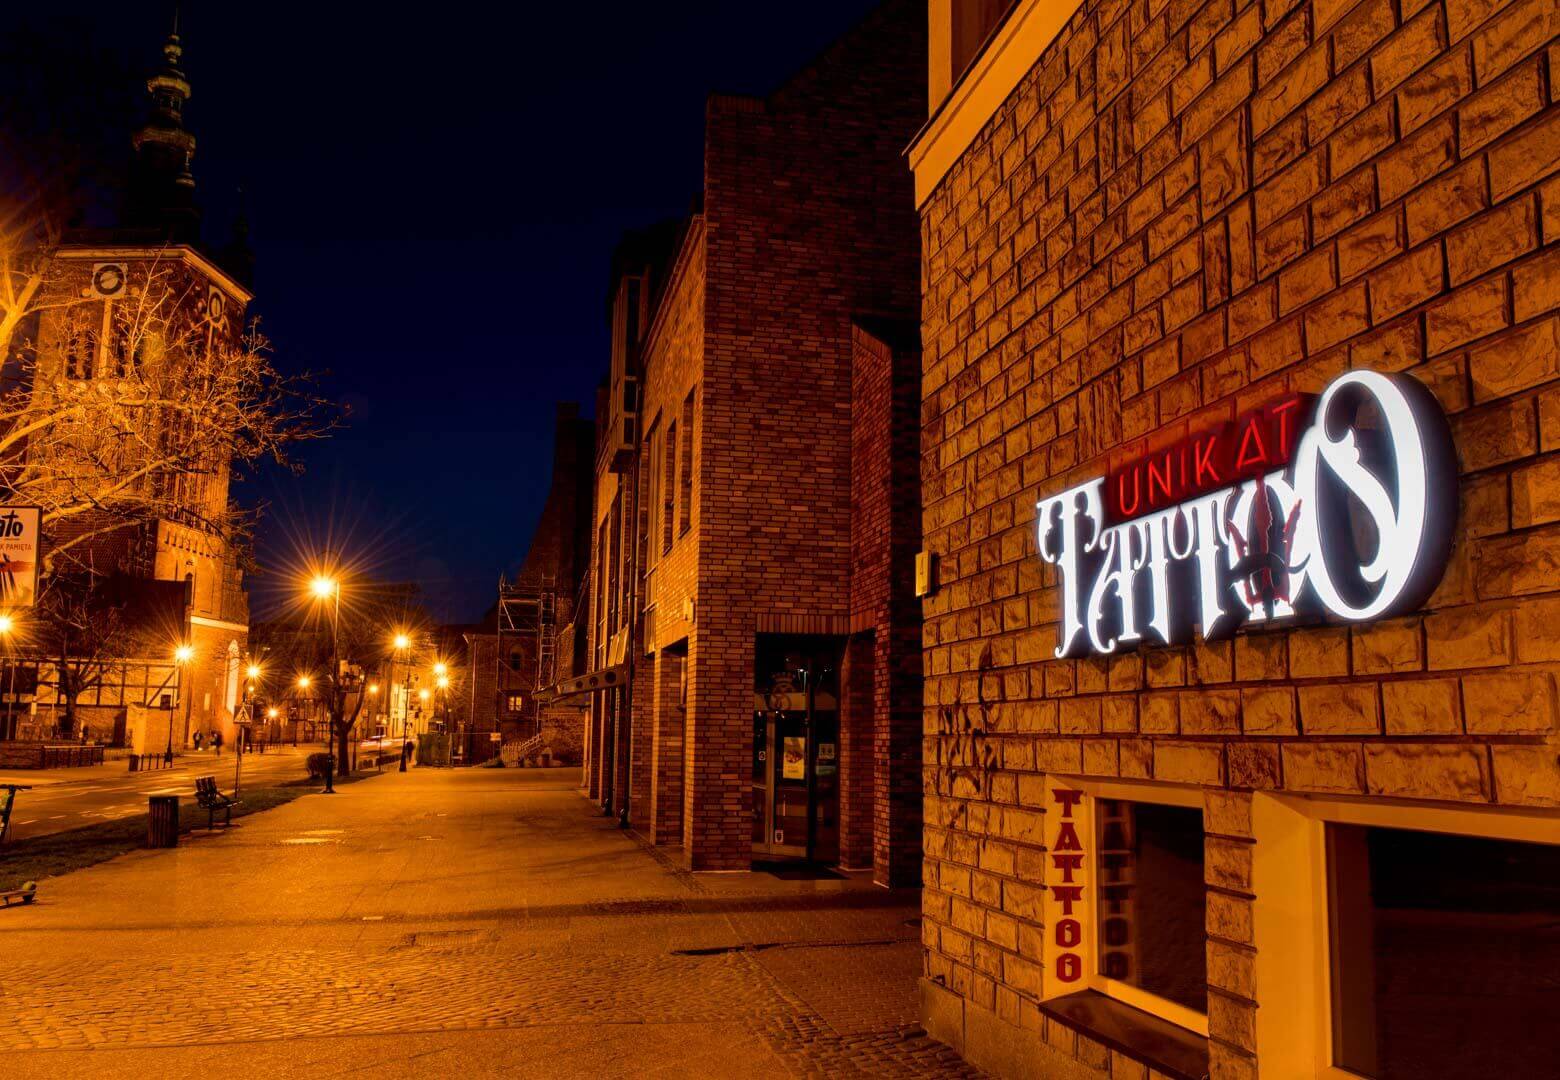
(1143, 219)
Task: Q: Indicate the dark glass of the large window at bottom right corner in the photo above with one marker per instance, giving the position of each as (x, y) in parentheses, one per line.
(1444, 954)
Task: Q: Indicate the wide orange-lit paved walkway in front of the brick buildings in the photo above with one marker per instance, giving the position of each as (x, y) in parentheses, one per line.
(439, 922)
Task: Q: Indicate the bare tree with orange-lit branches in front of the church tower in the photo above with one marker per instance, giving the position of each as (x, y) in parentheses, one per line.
(133, 410)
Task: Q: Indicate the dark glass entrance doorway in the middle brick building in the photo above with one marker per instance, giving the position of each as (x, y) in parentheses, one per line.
(796, 748)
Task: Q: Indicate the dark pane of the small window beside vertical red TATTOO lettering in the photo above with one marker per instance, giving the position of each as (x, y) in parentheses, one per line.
(1152, 900)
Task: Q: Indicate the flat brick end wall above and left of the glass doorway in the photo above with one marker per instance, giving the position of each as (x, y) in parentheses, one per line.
(809, 224)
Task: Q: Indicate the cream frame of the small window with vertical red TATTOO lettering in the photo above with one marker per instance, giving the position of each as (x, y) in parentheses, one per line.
(1126, 792)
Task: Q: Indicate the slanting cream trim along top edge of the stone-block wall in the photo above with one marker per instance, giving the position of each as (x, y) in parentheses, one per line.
(999, 69)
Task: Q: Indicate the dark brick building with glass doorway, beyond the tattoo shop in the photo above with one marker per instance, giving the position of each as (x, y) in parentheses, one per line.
(754, 535)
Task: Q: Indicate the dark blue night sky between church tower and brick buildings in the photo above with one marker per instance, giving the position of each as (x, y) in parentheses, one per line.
(433, 207)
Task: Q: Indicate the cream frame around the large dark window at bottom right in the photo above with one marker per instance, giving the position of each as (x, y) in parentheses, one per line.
(1292, 914)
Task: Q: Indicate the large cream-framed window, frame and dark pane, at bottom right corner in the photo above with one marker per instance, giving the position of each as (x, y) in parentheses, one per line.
(1392, 929)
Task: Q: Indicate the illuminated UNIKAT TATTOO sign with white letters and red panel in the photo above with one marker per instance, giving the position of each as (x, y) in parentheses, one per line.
(1342, 506)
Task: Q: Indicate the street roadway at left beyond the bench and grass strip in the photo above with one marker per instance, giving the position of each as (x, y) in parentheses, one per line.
(73, 798)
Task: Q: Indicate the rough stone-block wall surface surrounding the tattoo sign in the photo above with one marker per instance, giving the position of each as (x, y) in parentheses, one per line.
(1185, 210)
